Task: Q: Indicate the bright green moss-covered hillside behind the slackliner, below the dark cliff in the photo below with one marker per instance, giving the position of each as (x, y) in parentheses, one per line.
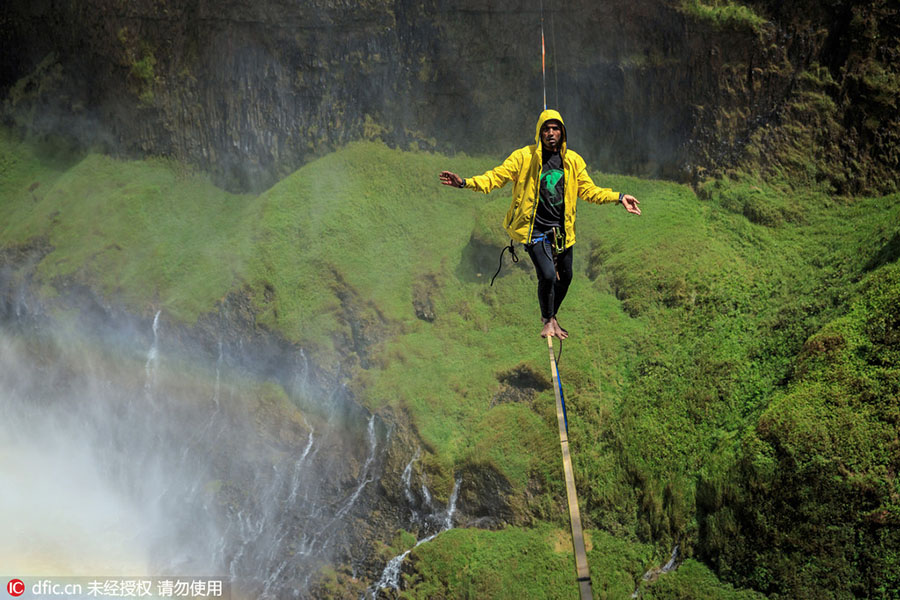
(732, 377)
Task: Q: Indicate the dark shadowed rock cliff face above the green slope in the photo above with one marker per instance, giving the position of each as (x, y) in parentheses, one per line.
(671, 88)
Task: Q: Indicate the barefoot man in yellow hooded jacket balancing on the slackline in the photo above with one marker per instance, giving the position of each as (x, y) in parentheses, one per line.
(547, 181)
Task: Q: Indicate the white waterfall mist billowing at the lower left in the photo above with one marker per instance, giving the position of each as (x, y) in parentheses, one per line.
(126, 449)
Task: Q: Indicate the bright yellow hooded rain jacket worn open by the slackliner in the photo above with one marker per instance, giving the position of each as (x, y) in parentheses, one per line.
(523, 168)
